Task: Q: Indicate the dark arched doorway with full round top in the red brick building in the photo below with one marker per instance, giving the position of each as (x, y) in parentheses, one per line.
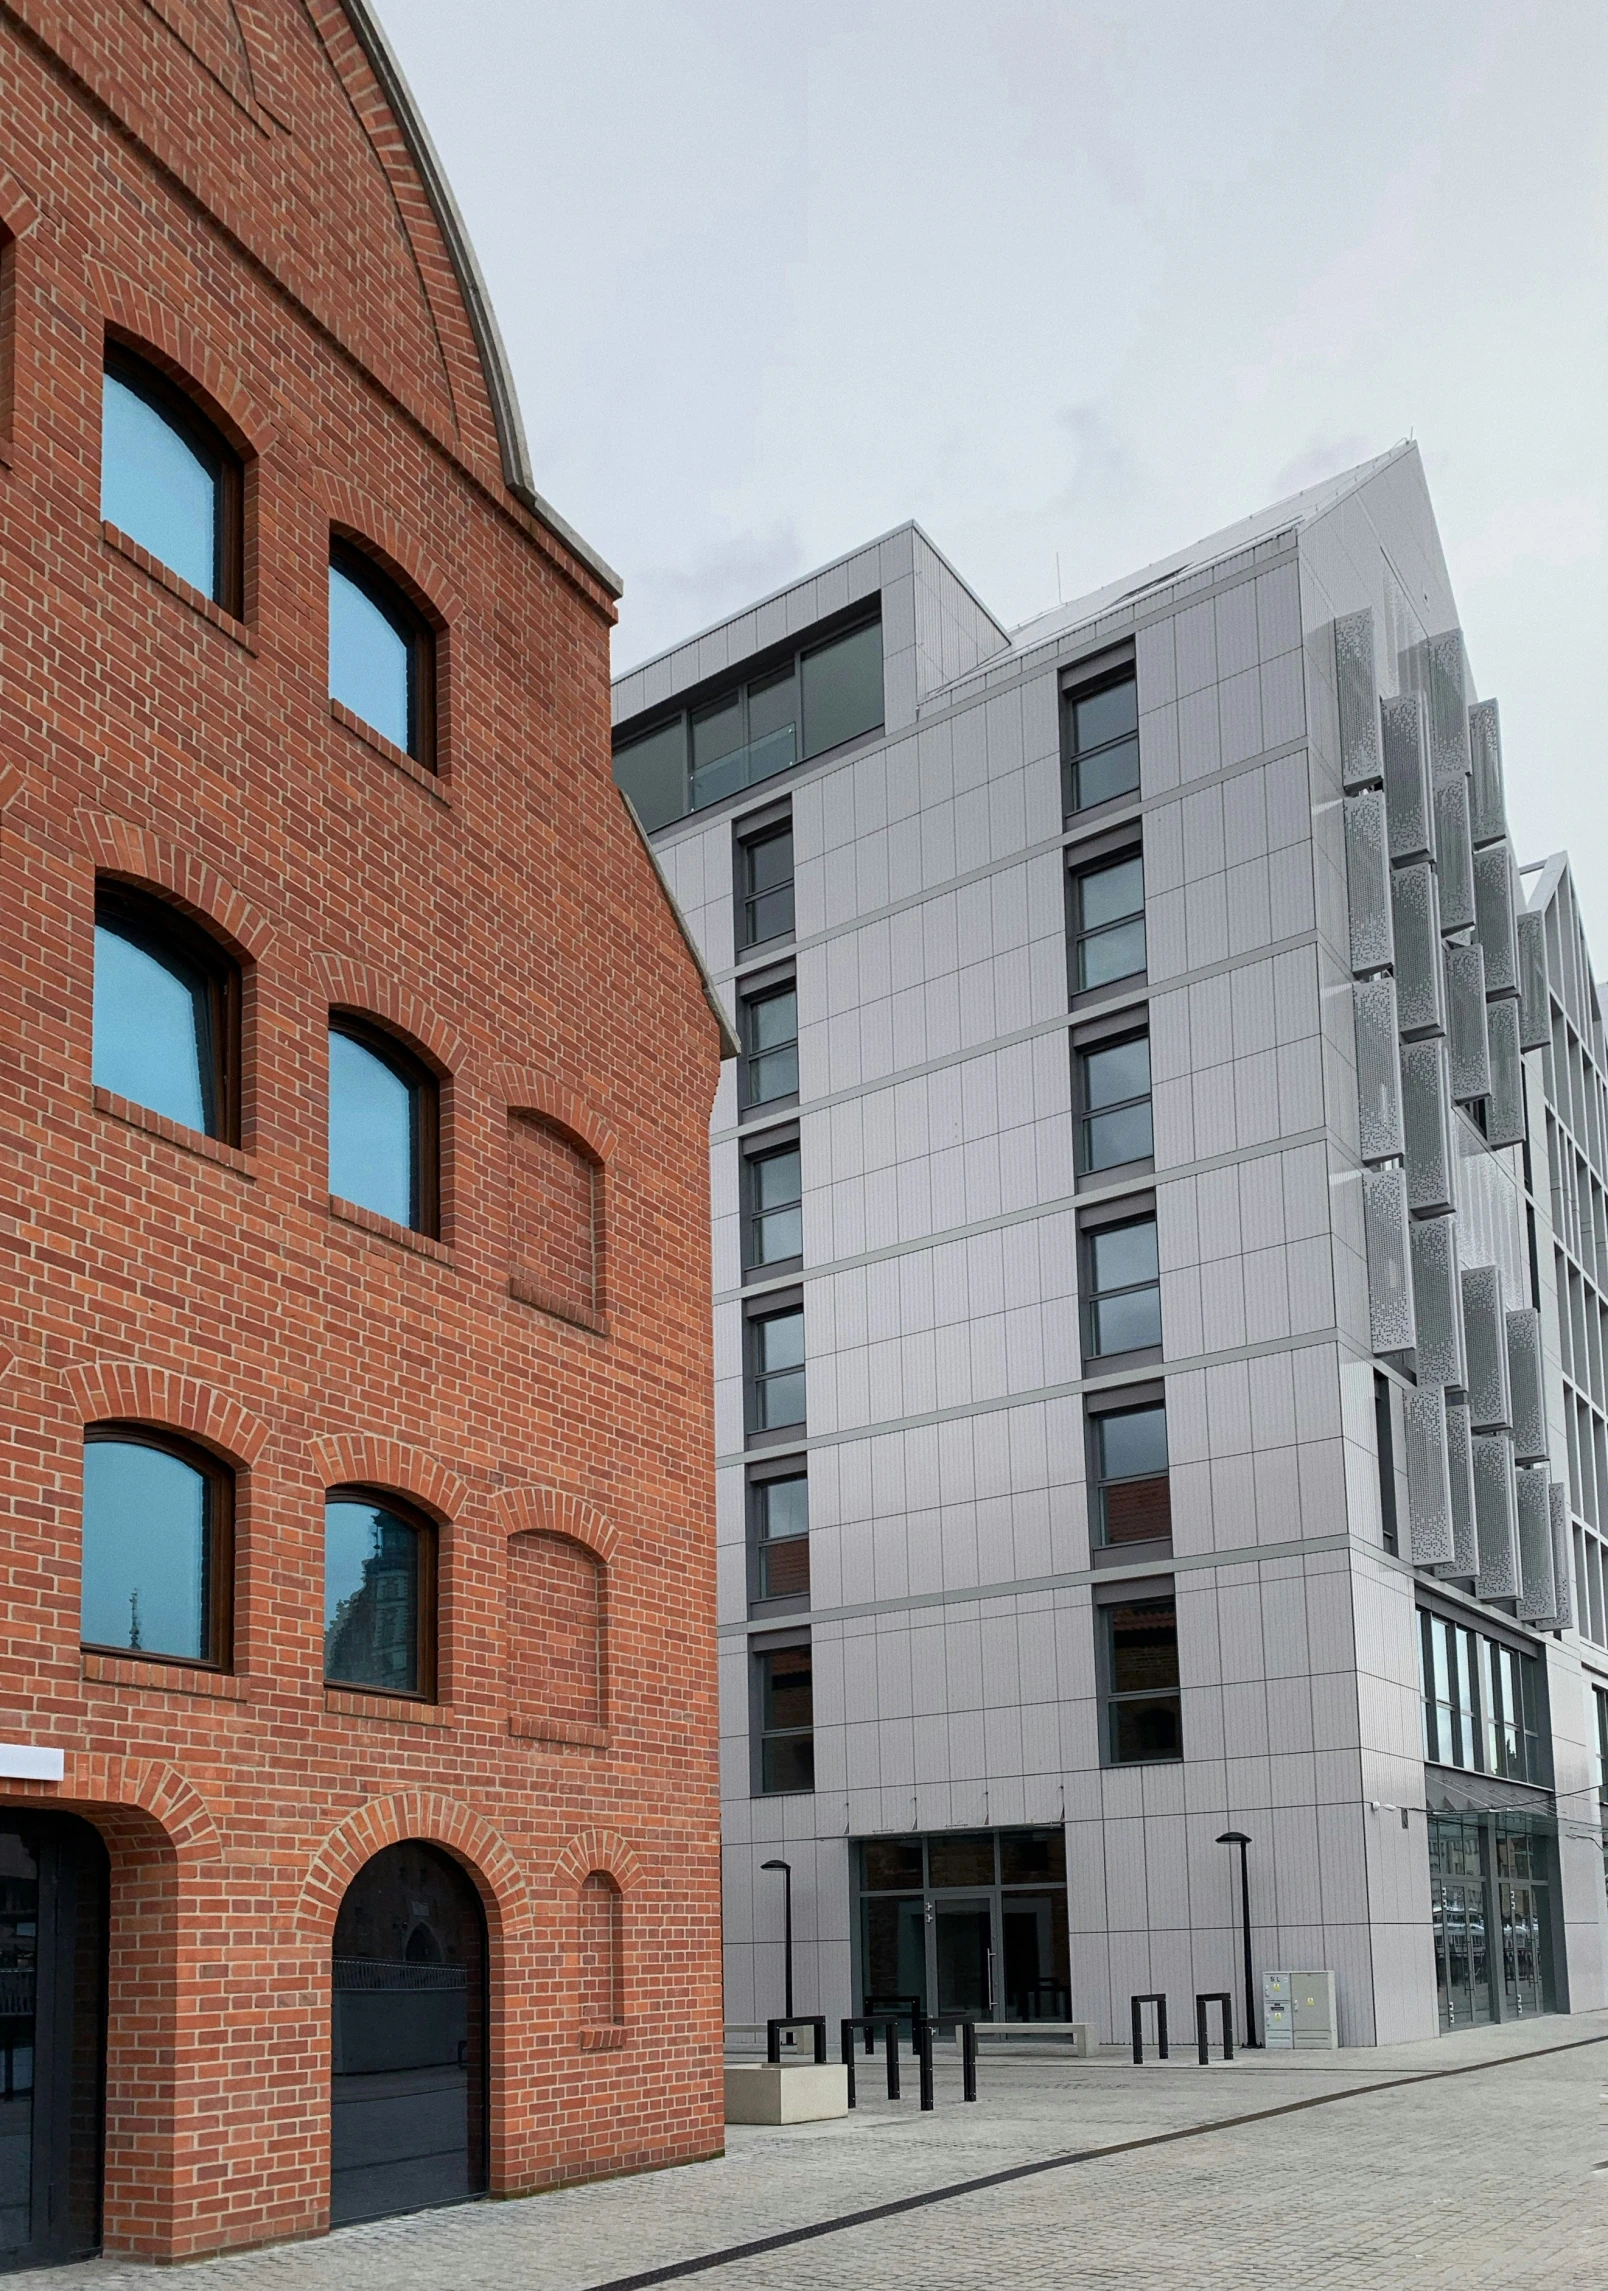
(409, 2058)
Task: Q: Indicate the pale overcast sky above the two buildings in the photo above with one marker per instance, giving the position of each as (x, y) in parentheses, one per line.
(1059, 281)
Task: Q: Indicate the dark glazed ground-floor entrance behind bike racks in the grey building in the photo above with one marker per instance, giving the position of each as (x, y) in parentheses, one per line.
(970, 1923)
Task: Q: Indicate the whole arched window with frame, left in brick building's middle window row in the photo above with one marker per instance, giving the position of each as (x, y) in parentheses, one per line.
(166, 1014)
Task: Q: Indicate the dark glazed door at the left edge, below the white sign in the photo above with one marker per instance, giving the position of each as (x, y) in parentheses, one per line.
(54, 1896)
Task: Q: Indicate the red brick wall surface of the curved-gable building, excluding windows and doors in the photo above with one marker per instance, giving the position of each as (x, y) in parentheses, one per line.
(230, 191)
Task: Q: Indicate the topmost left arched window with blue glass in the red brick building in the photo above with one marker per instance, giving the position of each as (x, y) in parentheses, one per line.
(168, 480)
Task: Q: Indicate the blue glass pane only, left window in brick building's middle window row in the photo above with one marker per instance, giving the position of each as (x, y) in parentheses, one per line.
(152, 1037)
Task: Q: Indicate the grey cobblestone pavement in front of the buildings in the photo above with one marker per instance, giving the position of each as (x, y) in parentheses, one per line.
(1474, 2180)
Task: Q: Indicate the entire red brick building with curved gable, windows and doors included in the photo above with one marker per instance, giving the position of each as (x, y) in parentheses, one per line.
(356, 1552)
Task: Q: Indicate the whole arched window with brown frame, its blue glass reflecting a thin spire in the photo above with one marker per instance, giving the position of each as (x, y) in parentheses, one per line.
(157, 1548)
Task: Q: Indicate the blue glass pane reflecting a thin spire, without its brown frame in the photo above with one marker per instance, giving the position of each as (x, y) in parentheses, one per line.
(145, 1552)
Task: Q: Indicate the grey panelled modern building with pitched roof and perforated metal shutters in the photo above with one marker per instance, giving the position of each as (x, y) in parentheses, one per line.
(1162, 1286)
